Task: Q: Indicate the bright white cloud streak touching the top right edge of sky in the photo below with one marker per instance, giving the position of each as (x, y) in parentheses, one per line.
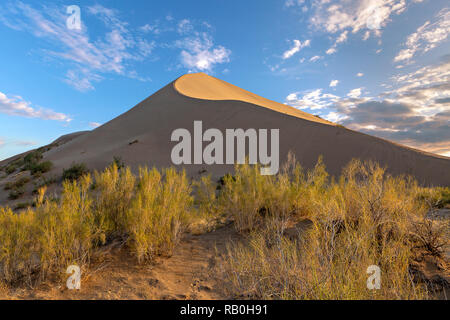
(427, 37)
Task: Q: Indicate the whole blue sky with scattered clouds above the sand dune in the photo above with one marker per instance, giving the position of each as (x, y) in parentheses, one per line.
(378, 66)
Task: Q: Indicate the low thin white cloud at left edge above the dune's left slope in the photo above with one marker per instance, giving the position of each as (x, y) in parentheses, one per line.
(16, 106)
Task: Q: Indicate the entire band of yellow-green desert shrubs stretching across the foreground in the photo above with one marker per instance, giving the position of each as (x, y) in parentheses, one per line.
(305, 235)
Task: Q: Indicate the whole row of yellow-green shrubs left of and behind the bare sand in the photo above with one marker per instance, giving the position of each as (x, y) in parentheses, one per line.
(150, 216)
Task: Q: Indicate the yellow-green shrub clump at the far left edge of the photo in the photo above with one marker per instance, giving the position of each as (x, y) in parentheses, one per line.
(49, 238)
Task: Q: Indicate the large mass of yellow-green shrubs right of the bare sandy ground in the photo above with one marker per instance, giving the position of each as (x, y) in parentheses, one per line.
(365, 219)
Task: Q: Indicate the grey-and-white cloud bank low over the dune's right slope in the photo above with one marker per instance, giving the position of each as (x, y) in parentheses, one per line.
(414, 112)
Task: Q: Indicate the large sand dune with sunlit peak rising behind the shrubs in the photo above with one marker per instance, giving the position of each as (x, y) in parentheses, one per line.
(224, 106)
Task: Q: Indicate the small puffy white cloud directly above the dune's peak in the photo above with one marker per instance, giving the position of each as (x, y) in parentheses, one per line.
(199, 53)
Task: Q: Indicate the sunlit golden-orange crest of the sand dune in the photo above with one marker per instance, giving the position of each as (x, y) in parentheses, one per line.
(205, 87)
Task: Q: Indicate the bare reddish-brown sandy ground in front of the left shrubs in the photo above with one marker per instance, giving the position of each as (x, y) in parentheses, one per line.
(185, 275)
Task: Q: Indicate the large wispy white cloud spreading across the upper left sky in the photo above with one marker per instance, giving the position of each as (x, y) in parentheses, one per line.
(88, 59)
